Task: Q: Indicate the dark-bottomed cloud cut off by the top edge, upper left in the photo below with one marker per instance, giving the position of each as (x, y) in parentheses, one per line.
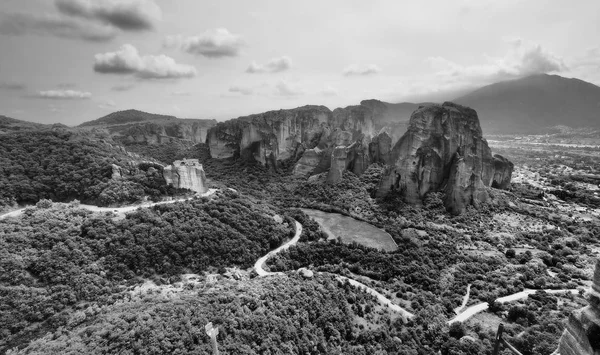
(127, 15)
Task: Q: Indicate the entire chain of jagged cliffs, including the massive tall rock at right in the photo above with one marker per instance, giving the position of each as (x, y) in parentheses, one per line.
(443, 149)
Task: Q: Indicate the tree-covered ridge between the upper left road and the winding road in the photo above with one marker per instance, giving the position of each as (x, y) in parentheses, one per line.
(57, 256)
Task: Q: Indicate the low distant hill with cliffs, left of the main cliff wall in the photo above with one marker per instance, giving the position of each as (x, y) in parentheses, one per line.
(138, 127)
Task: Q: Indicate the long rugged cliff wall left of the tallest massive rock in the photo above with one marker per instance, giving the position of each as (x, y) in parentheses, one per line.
(309, 132)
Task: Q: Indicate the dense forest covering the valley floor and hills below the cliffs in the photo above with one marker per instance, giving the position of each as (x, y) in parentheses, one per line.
(72, 281)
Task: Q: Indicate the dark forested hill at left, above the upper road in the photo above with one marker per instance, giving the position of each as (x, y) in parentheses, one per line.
(62, 165)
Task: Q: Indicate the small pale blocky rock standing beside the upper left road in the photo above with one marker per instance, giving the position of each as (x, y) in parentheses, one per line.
(186, 174)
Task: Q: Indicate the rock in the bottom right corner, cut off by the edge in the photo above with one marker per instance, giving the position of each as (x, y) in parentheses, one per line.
(582, 333)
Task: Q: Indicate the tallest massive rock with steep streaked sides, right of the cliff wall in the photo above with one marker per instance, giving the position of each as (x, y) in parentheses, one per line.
(443, 150)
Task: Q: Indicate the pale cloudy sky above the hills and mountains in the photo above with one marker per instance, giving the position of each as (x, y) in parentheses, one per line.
(71, 61)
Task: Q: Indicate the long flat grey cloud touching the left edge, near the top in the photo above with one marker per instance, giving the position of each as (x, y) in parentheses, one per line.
(52, 25)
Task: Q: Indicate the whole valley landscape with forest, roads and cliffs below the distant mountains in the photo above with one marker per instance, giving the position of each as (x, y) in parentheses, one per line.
(278, 229)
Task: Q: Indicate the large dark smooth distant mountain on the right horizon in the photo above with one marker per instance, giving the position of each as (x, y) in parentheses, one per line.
(535, 103)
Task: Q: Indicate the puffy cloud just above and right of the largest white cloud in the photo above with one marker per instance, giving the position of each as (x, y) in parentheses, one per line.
(214, 43)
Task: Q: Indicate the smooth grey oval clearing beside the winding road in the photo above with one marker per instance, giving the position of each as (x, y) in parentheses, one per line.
(351, 230)
